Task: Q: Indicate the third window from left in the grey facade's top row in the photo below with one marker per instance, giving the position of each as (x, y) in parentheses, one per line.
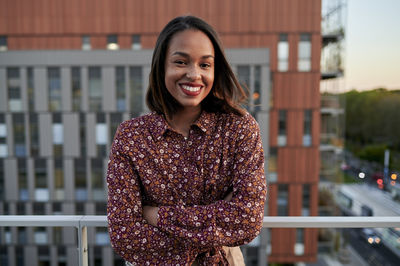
(54, 87)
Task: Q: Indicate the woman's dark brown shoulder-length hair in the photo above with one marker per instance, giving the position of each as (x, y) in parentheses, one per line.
(226, 95)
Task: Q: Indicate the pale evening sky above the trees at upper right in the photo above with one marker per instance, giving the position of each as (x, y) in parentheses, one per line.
(372, 45)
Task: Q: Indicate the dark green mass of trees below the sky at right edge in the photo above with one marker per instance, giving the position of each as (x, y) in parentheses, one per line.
(372, 122)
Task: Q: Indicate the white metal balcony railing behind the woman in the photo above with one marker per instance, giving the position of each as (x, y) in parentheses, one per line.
(83, 222)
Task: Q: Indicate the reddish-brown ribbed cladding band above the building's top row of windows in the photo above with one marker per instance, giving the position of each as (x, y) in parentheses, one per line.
(138, 16)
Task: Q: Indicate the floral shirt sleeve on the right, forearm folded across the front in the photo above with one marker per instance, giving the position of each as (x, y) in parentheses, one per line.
(226, 223)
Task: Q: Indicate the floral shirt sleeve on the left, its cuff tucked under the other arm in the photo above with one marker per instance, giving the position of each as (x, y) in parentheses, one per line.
(129, 233)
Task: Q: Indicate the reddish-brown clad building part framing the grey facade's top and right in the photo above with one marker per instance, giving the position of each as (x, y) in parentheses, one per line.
(290, 30)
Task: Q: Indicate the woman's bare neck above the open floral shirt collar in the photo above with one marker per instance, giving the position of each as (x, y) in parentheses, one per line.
(182, 120)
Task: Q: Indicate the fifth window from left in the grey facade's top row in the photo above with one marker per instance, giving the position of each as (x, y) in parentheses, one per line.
(95, 89)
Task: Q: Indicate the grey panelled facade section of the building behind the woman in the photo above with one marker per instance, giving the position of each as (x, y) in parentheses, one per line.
(58, 113)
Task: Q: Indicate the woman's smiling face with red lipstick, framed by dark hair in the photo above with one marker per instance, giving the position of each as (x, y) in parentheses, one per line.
(189, 68)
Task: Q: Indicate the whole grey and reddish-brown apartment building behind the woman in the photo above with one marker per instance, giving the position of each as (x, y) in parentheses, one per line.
(71, 71)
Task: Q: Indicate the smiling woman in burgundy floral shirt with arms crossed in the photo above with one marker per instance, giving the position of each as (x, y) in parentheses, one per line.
(188, 178)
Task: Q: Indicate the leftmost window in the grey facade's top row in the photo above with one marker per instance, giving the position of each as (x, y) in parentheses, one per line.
(14, 89)
